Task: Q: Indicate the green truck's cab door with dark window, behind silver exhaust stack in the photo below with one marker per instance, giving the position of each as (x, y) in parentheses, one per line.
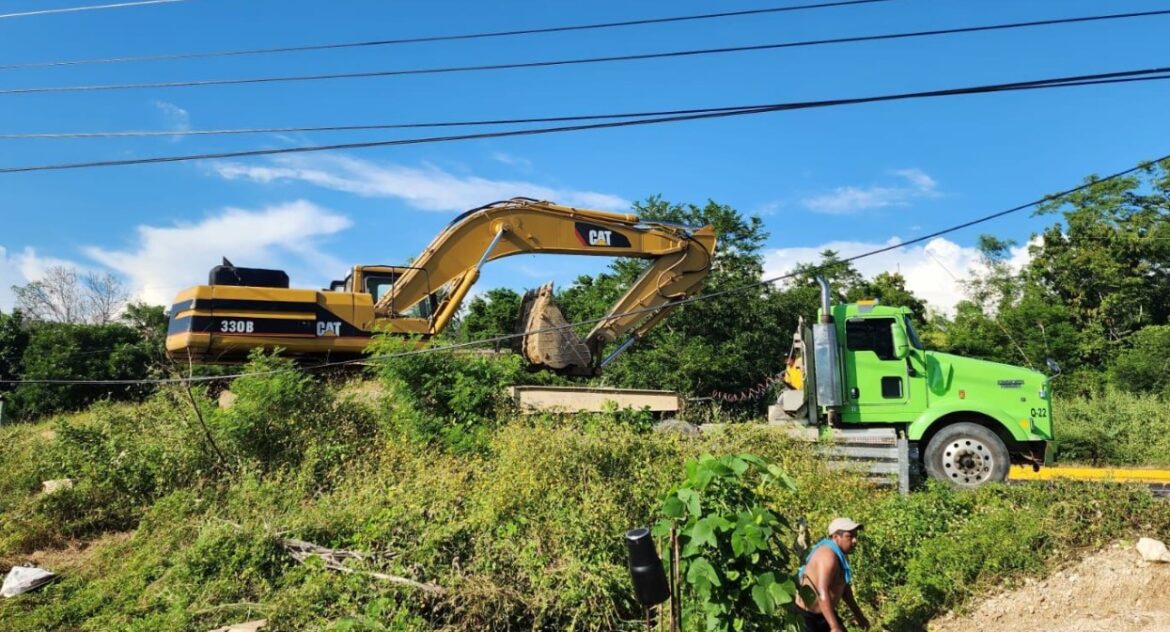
(877, 383)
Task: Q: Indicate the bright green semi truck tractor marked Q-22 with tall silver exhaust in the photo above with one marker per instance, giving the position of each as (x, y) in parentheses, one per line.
(967, 421)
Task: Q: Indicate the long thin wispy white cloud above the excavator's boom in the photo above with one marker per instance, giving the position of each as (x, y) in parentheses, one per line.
(428, 188)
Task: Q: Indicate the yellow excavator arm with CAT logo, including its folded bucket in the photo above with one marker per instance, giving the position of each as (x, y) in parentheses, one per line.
(680, 260)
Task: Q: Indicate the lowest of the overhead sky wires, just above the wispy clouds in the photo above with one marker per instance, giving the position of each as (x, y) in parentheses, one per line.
(1127, 77)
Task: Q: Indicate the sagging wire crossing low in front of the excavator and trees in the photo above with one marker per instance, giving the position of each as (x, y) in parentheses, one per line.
(707, 297)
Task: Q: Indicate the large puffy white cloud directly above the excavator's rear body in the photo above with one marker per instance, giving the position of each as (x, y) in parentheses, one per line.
(167, 260)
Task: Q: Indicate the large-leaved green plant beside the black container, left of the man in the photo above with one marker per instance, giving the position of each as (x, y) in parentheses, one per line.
(733, 558)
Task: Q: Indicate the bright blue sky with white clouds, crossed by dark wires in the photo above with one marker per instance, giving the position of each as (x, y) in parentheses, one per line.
(848, 177)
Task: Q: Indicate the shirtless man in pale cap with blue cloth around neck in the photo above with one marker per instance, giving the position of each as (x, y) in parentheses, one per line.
(828, 572)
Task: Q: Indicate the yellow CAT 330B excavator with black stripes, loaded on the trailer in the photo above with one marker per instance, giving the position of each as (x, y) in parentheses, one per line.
(245, 308)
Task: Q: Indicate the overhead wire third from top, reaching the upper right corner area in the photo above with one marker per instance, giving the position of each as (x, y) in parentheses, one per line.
(552, 64)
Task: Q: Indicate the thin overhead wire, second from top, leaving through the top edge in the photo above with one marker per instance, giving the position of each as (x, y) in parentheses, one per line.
(428, 39)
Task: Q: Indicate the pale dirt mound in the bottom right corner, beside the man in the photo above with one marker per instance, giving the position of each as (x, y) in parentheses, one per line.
(1110, 590)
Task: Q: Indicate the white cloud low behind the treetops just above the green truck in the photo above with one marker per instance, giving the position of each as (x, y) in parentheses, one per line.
(934, 272)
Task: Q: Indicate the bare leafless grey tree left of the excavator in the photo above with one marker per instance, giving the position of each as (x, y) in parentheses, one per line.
(65, 296)
